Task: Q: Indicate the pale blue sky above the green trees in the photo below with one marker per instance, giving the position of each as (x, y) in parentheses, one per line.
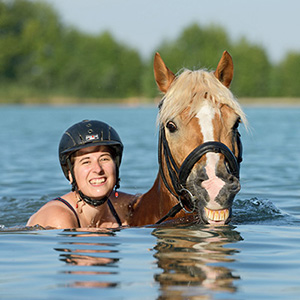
(144, 24)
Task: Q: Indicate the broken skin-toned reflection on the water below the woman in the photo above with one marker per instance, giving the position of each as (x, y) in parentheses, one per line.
(89, 254)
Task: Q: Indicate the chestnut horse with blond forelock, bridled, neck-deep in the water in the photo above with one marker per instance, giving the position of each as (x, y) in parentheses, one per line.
(199, 148)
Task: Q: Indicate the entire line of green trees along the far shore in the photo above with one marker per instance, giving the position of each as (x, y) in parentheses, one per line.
(40, 58)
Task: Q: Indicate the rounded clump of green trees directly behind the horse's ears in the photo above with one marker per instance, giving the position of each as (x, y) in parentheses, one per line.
(199, 47)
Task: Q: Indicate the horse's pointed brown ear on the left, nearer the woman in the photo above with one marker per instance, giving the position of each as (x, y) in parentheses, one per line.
(163, 76)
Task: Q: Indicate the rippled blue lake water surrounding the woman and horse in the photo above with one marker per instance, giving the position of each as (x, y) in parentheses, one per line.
(255, 257)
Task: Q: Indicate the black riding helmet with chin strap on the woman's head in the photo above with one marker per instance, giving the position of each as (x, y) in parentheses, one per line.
(86, 134)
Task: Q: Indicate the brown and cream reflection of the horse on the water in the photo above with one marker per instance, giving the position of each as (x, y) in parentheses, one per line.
(192, 259)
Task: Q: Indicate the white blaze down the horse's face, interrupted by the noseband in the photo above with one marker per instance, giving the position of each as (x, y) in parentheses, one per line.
(213, 184)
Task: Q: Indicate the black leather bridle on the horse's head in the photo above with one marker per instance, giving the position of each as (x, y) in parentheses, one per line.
(179, 175)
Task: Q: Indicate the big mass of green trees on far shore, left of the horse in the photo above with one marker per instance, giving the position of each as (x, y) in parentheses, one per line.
(37, 51)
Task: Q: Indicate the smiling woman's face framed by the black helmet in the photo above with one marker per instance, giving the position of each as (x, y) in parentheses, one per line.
(95, 171)
